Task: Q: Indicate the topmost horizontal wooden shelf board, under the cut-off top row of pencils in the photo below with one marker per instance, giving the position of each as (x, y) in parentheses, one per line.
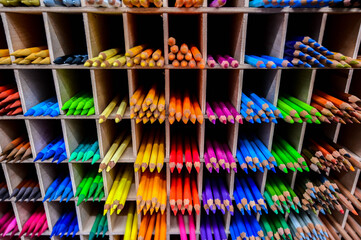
(223, 10)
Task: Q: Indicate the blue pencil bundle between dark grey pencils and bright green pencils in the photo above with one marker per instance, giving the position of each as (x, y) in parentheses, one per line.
(61, 186)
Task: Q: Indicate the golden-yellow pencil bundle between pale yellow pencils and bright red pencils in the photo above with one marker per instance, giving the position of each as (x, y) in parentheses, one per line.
(151, 151)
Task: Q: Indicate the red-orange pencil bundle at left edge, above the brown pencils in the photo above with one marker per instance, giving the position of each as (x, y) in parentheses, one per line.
(10, 103)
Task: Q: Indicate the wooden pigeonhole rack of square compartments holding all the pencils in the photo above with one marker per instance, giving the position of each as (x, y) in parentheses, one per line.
(89, 30)
